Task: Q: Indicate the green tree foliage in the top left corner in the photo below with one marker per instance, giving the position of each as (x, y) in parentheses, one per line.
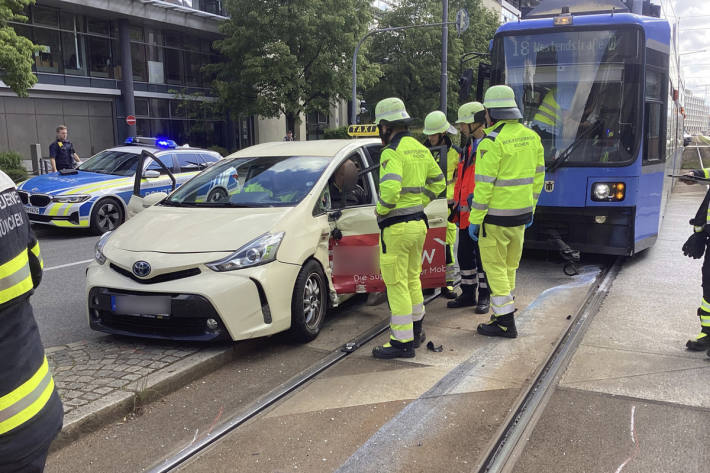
(16, 52)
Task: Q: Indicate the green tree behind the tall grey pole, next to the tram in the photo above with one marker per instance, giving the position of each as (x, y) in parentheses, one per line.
(411, 59)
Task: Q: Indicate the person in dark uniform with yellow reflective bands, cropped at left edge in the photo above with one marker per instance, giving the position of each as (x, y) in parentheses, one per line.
(30, 410)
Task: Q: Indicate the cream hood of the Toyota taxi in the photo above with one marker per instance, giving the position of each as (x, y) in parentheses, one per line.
(194, 230)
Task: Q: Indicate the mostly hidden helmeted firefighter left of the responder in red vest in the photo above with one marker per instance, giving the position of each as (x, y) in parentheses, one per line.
(437, 128)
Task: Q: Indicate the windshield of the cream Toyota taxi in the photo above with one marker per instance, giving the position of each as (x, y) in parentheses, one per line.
(278, 181)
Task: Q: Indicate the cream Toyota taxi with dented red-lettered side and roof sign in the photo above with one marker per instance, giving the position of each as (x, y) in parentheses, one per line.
(261, 242)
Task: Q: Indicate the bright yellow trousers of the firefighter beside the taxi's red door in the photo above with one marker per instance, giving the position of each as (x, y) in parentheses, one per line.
(401, 269)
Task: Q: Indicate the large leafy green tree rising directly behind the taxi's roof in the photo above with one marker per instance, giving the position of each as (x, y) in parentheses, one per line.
(290, 56)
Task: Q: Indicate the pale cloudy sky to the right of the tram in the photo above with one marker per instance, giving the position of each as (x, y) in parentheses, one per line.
(693, 17)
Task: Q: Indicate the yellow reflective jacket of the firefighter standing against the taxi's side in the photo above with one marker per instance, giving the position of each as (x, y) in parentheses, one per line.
(409, 178)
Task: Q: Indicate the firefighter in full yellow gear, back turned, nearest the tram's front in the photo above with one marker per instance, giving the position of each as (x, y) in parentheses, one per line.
(510, 171)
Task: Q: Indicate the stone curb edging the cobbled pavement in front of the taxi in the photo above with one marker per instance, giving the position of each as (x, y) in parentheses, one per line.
(88, 418)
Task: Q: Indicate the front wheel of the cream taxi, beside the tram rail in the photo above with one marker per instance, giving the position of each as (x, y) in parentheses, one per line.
(309, 302)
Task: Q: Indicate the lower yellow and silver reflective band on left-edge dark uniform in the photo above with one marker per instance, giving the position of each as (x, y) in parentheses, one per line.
(22, 404)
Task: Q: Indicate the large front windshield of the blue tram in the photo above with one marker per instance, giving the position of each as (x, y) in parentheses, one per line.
(579, 90)
